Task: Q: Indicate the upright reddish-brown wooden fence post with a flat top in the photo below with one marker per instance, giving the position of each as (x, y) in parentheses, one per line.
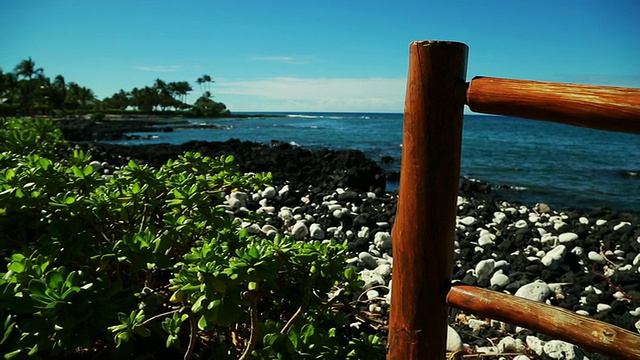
(424, 228)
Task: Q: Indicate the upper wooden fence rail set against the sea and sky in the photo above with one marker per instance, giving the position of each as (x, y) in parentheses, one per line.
(598, 107)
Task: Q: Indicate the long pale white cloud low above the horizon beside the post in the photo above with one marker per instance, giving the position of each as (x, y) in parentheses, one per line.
(314, 94)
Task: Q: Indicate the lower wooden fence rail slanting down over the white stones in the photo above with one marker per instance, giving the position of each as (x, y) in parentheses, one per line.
(554, 321)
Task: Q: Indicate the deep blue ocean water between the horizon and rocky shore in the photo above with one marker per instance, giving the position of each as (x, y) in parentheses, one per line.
(532, 161)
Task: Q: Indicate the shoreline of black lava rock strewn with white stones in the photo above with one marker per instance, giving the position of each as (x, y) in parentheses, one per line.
(587, 261)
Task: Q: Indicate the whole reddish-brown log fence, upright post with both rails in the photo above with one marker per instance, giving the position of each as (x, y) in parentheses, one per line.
(423, 232)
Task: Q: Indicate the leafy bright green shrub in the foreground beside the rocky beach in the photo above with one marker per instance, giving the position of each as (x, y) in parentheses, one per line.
(123, 266)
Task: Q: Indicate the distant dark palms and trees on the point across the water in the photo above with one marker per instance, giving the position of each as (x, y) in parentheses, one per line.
(27, 91)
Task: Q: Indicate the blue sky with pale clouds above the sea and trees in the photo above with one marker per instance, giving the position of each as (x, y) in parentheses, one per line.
(347, 55)
